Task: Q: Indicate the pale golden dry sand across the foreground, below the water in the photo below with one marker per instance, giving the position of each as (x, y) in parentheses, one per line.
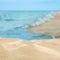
(17, 49)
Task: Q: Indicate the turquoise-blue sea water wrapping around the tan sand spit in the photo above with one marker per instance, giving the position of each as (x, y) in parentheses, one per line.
(12, 24)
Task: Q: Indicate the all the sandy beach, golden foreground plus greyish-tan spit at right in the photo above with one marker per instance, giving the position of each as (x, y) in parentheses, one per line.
(18, 49)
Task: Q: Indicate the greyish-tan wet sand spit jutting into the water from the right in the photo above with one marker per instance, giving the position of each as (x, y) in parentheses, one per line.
(51, 26)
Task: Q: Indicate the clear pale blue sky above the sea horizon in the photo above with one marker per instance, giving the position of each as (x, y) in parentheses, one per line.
(29, 5)
